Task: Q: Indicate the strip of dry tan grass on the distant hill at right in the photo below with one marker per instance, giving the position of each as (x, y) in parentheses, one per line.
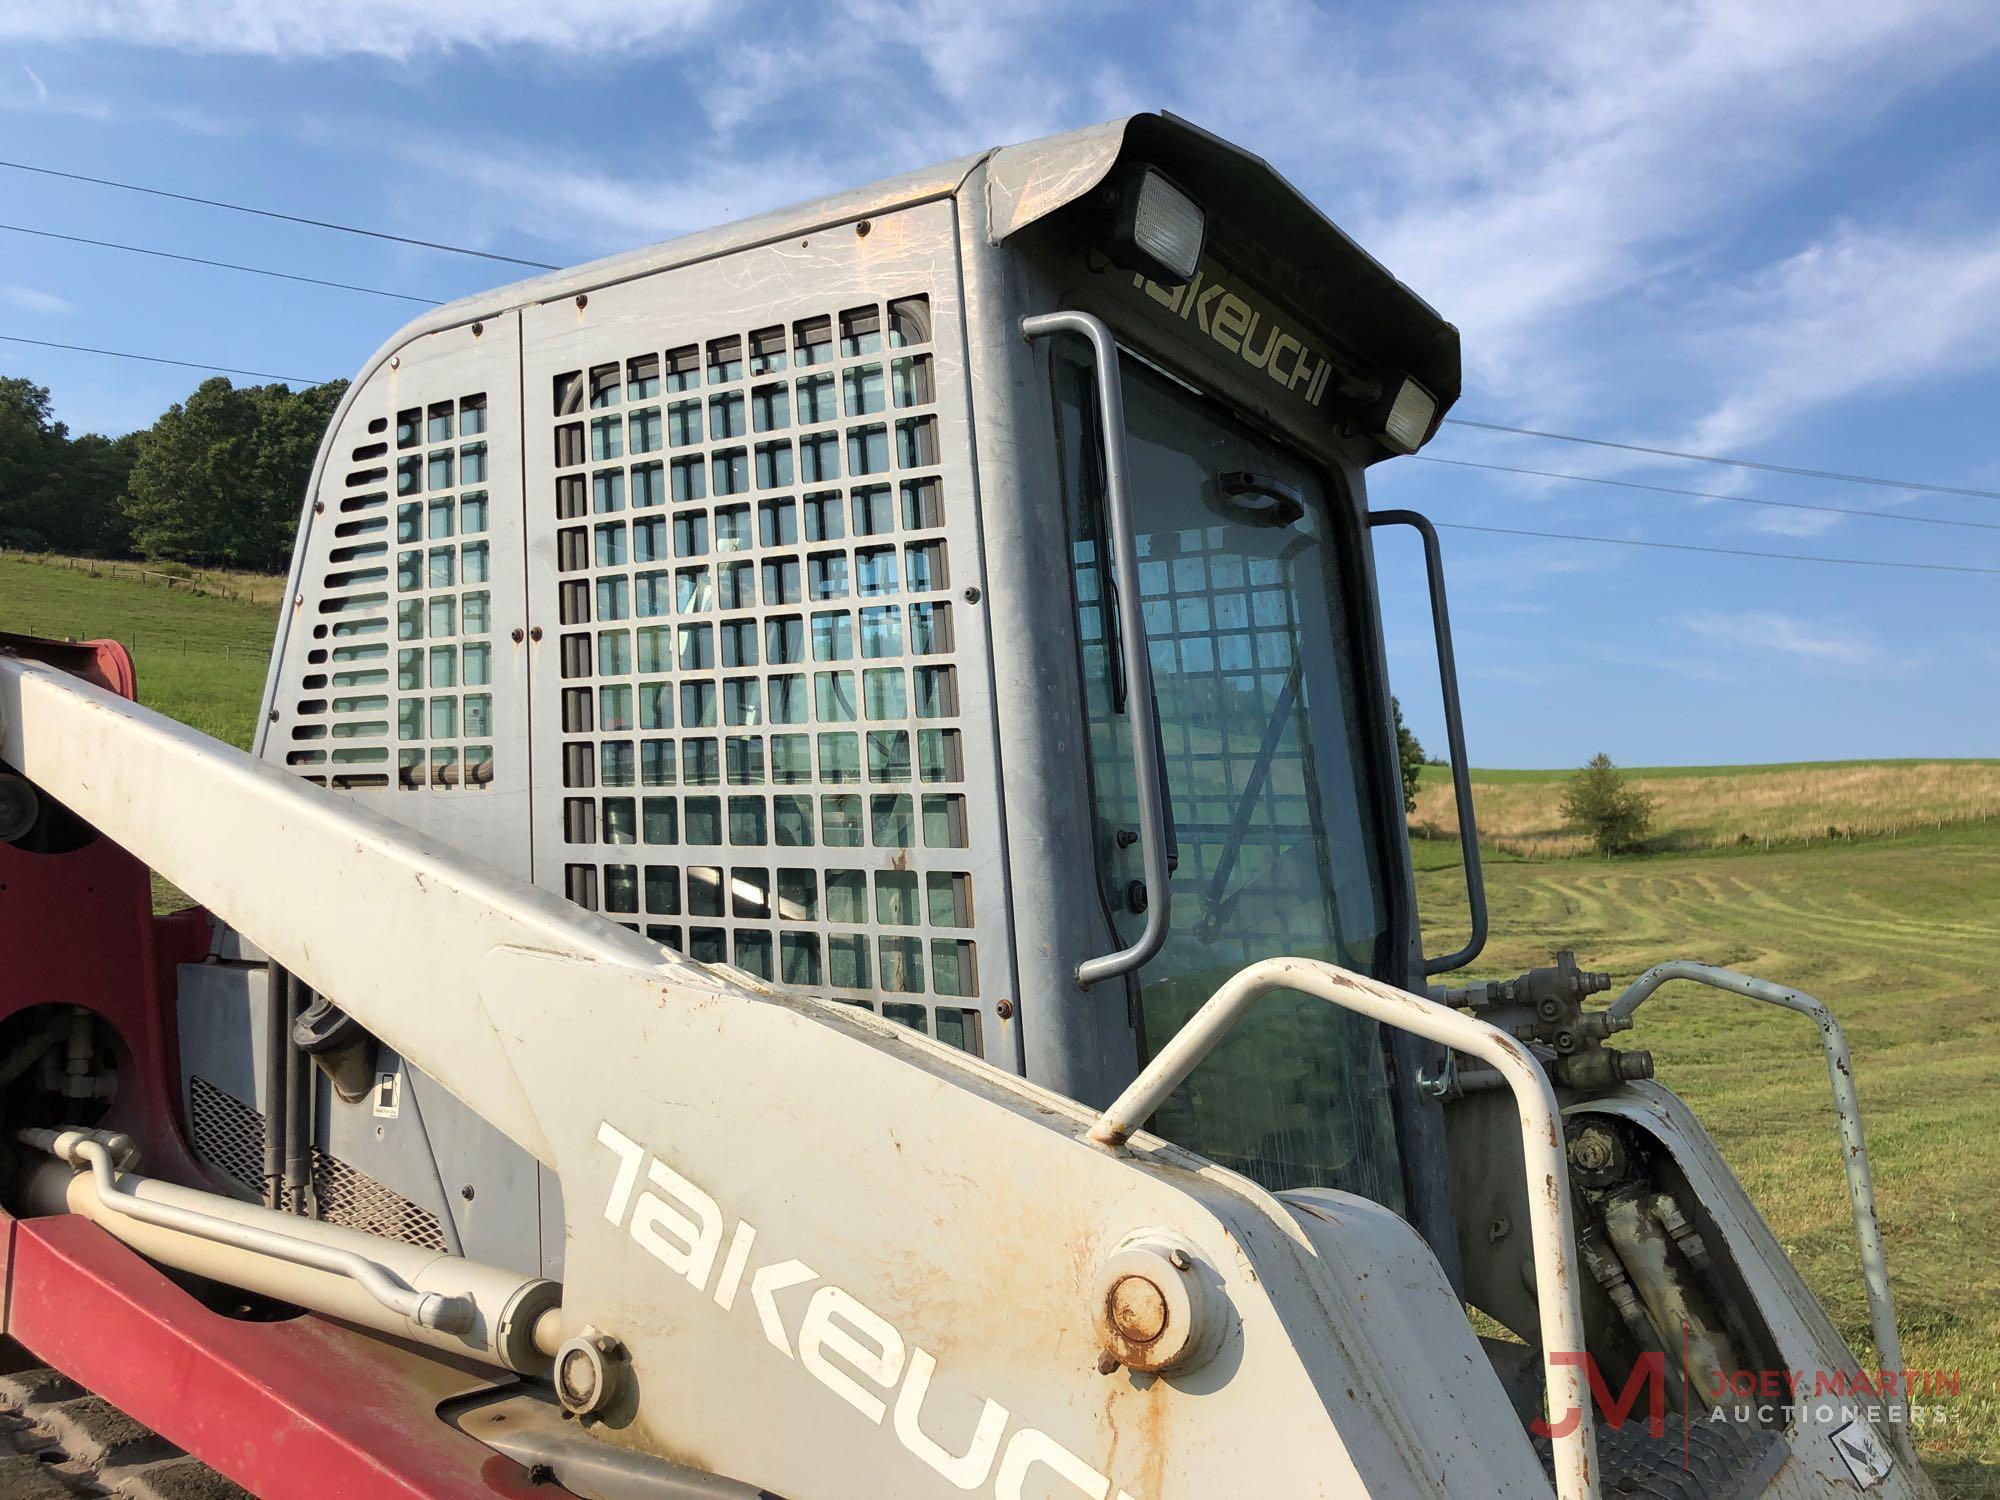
(1749, 807)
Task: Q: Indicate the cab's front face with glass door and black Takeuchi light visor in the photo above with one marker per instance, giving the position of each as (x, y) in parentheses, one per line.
(1259, 379)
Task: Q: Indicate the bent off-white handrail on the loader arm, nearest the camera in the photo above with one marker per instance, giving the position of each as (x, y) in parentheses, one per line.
(1541, 1141)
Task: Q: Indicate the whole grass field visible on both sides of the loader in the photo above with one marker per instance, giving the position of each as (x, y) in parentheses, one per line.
(1895, 933)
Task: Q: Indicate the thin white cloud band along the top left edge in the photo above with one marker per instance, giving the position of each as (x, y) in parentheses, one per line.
(387, 29)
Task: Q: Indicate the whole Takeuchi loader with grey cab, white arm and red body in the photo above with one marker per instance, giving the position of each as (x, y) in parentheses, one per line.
(821, 909)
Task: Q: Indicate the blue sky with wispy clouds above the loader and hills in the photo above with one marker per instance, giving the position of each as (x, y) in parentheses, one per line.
(1765, 231)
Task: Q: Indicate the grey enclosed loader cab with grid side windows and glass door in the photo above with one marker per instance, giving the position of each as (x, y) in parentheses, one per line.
(759, 591)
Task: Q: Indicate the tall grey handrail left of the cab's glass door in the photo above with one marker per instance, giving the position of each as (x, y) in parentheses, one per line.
(1153, 813)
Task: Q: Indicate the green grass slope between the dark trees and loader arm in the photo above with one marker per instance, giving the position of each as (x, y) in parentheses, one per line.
(199, 659)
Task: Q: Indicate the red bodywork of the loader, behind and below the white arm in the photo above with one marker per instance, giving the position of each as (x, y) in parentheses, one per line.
(285, 1409)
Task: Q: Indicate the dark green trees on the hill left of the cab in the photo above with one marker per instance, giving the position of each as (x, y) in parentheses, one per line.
(217, 481)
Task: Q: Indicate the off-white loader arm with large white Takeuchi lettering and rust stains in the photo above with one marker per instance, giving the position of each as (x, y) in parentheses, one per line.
(785, 1215)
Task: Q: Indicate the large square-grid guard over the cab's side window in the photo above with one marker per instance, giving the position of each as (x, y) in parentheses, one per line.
(763, 755)
